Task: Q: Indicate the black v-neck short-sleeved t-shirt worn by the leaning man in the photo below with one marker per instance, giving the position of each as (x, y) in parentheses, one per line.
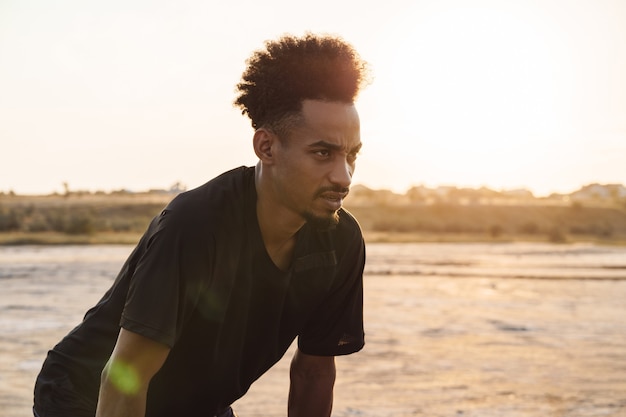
(201, 282)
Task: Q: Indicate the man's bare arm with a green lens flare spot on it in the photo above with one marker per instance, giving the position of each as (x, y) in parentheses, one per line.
(125, 378)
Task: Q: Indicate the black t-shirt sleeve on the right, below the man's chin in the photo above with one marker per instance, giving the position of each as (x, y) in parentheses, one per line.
(336, 326)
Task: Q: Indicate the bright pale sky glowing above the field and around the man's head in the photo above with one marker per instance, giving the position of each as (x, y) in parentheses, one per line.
(137, 94)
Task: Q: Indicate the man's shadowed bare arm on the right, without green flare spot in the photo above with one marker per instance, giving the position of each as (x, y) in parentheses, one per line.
(311, 389)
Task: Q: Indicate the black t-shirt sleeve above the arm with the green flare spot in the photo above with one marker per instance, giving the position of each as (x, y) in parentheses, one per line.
(166, 284)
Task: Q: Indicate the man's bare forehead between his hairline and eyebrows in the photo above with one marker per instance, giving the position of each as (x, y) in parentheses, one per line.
(330, 121)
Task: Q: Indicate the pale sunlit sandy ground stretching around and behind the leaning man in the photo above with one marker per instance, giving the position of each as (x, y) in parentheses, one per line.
(436, 345)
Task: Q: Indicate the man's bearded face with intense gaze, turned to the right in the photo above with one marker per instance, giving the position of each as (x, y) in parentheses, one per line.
(315, 162)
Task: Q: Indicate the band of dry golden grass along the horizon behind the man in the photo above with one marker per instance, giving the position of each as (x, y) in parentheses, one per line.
(122, 218)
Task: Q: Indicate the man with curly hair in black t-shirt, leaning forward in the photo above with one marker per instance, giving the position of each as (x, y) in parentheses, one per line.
(229, 274)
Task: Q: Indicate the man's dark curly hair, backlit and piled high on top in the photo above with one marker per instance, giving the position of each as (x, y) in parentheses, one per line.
(293, 69)
